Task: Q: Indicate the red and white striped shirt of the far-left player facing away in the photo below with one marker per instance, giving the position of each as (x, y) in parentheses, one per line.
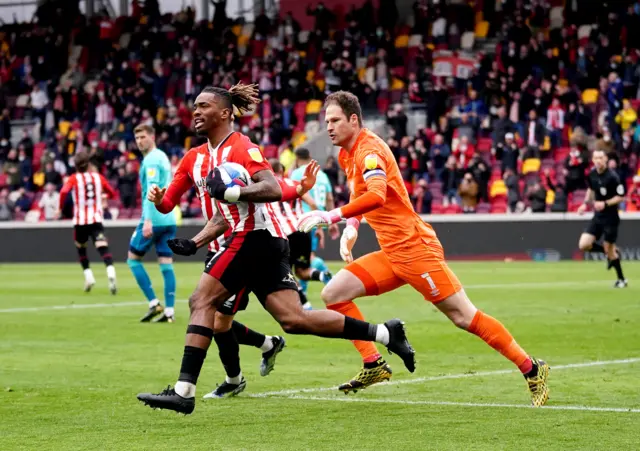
(86, 189)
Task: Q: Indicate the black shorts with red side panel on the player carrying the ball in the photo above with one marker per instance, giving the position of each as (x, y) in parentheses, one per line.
(256, 262)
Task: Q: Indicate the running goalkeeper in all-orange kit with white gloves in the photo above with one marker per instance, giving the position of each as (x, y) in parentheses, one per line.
(410, 251)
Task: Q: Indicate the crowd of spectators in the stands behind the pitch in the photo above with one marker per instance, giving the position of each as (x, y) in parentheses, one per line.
(511, 134)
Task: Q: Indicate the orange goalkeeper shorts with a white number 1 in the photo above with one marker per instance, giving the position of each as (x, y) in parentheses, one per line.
(430, 276)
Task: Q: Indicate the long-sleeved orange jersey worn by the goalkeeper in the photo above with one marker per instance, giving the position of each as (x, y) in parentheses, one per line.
(402, 234)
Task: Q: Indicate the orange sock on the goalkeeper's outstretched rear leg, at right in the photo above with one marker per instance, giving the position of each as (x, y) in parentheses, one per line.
(498, 337)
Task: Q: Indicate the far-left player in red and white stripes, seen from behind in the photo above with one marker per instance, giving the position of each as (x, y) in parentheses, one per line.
(87, 188)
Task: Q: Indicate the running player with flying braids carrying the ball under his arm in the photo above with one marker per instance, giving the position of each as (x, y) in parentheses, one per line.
(255, 257)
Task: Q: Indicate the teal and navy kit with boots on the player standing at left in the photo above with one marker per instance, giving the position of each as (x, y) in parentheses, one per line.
(155, 170)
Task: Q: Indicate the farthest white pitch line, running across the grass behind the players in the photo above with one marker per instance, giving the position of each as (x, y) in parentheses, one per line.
(471, 286)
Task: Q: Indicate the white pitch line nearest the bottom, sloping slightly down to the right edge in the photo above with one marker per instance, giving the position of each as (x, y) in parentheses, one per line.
(461, 404)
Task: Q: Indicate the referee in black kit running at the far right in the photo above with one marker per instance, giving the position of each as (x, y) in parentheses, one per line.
(605, 193)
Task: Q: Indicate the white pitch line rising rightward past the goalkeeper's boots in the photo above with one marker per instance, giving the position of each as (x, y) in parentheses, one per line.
(448, 376)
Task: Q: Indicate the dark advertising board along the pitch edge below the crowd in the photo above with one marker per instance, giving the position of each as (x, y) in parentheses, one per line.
(541, 237)
